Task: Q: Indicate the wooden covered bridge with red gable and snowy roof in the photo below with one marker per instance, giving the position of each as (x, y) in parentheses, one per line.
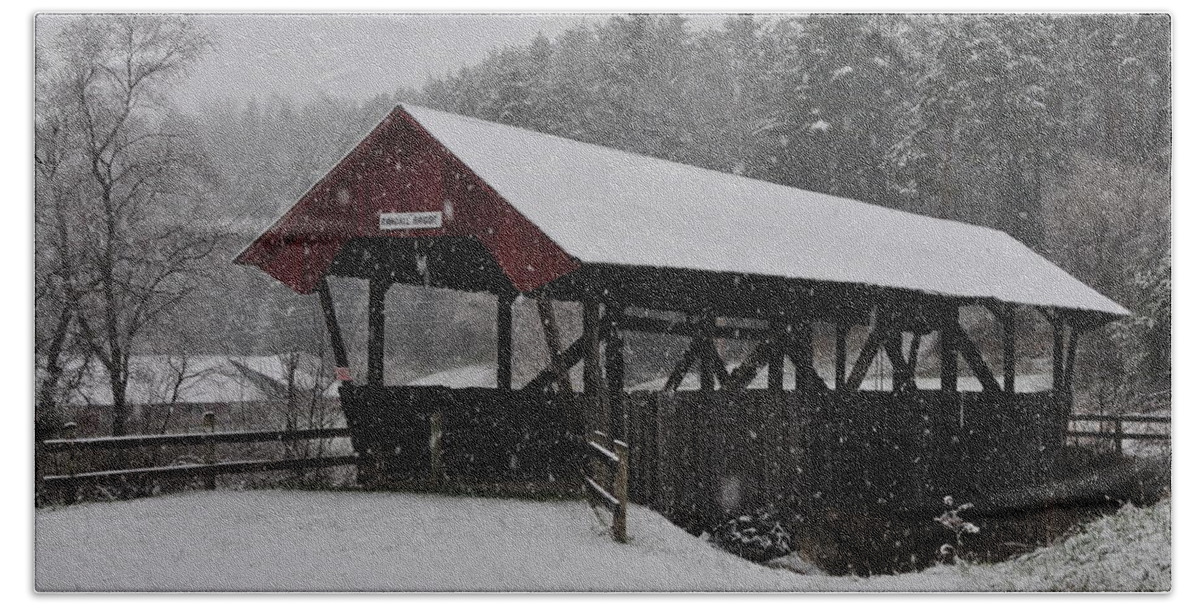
(647, 245)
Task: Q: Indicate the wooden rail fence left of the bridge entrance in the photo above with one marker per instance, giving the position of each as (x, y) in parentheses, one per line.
(69, 483)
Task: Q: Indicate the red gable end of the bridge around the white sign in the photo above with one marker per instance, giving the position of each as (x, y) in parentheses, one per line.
(401, 168)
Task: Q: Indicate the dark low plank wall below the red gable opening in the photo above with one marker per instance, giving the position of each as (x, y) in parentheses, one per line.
(484, 437)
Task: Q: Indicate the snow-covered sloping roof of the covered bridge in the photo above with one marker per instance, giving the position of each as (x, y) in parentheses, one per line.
(609, 207)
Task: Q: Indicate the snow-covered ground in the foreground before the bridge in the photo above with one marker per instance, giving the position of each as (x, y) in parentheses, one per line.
(341, 541)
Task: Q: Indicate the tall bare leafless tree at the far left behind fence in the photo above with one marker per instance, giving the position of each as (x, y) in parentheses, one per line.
(137, 179)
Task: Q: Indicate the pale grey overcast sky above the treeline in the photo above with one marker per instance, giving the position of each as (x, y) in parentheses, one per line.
(347, 56)
